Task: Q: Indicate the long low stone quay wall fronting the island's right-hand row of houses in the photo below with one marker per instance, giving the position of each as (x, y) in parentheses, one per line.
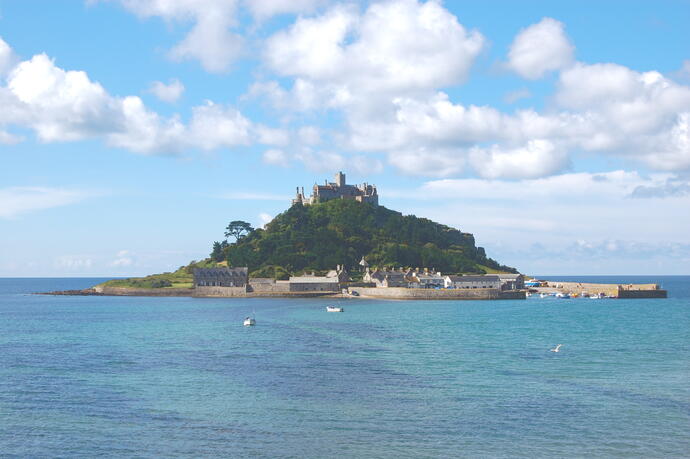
(402, 293)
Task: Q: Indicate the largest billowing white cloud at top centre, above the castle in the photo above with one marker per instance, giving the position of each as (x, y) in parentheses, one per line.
(394, 46)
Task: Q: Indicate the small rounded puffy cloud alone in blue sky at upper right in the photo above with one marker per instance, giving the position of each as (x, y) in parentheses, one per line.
(540, 48)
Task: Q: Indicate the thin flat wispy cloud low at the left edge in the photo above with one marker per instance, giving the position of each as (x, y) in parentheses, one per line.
(16, 201)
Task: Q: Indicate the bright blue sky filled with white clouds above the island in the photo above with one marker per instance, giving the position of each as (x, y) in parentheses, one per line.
(133, 131)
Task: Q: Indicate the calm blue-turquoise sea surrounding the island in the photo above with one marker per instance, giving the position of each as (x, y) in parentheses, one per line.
(181, 377)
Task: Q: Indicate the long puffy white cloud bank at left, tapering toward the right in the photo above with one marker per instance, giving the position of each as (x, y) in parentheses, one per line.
(61, 105)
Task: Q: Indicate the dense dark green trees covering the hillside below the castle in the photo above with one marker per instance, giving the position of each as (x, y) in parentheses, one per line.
(318, 237)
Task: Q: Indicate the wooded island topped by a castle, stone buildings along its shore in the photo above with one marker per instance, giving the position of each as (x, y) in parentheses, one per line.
(339, 241)
